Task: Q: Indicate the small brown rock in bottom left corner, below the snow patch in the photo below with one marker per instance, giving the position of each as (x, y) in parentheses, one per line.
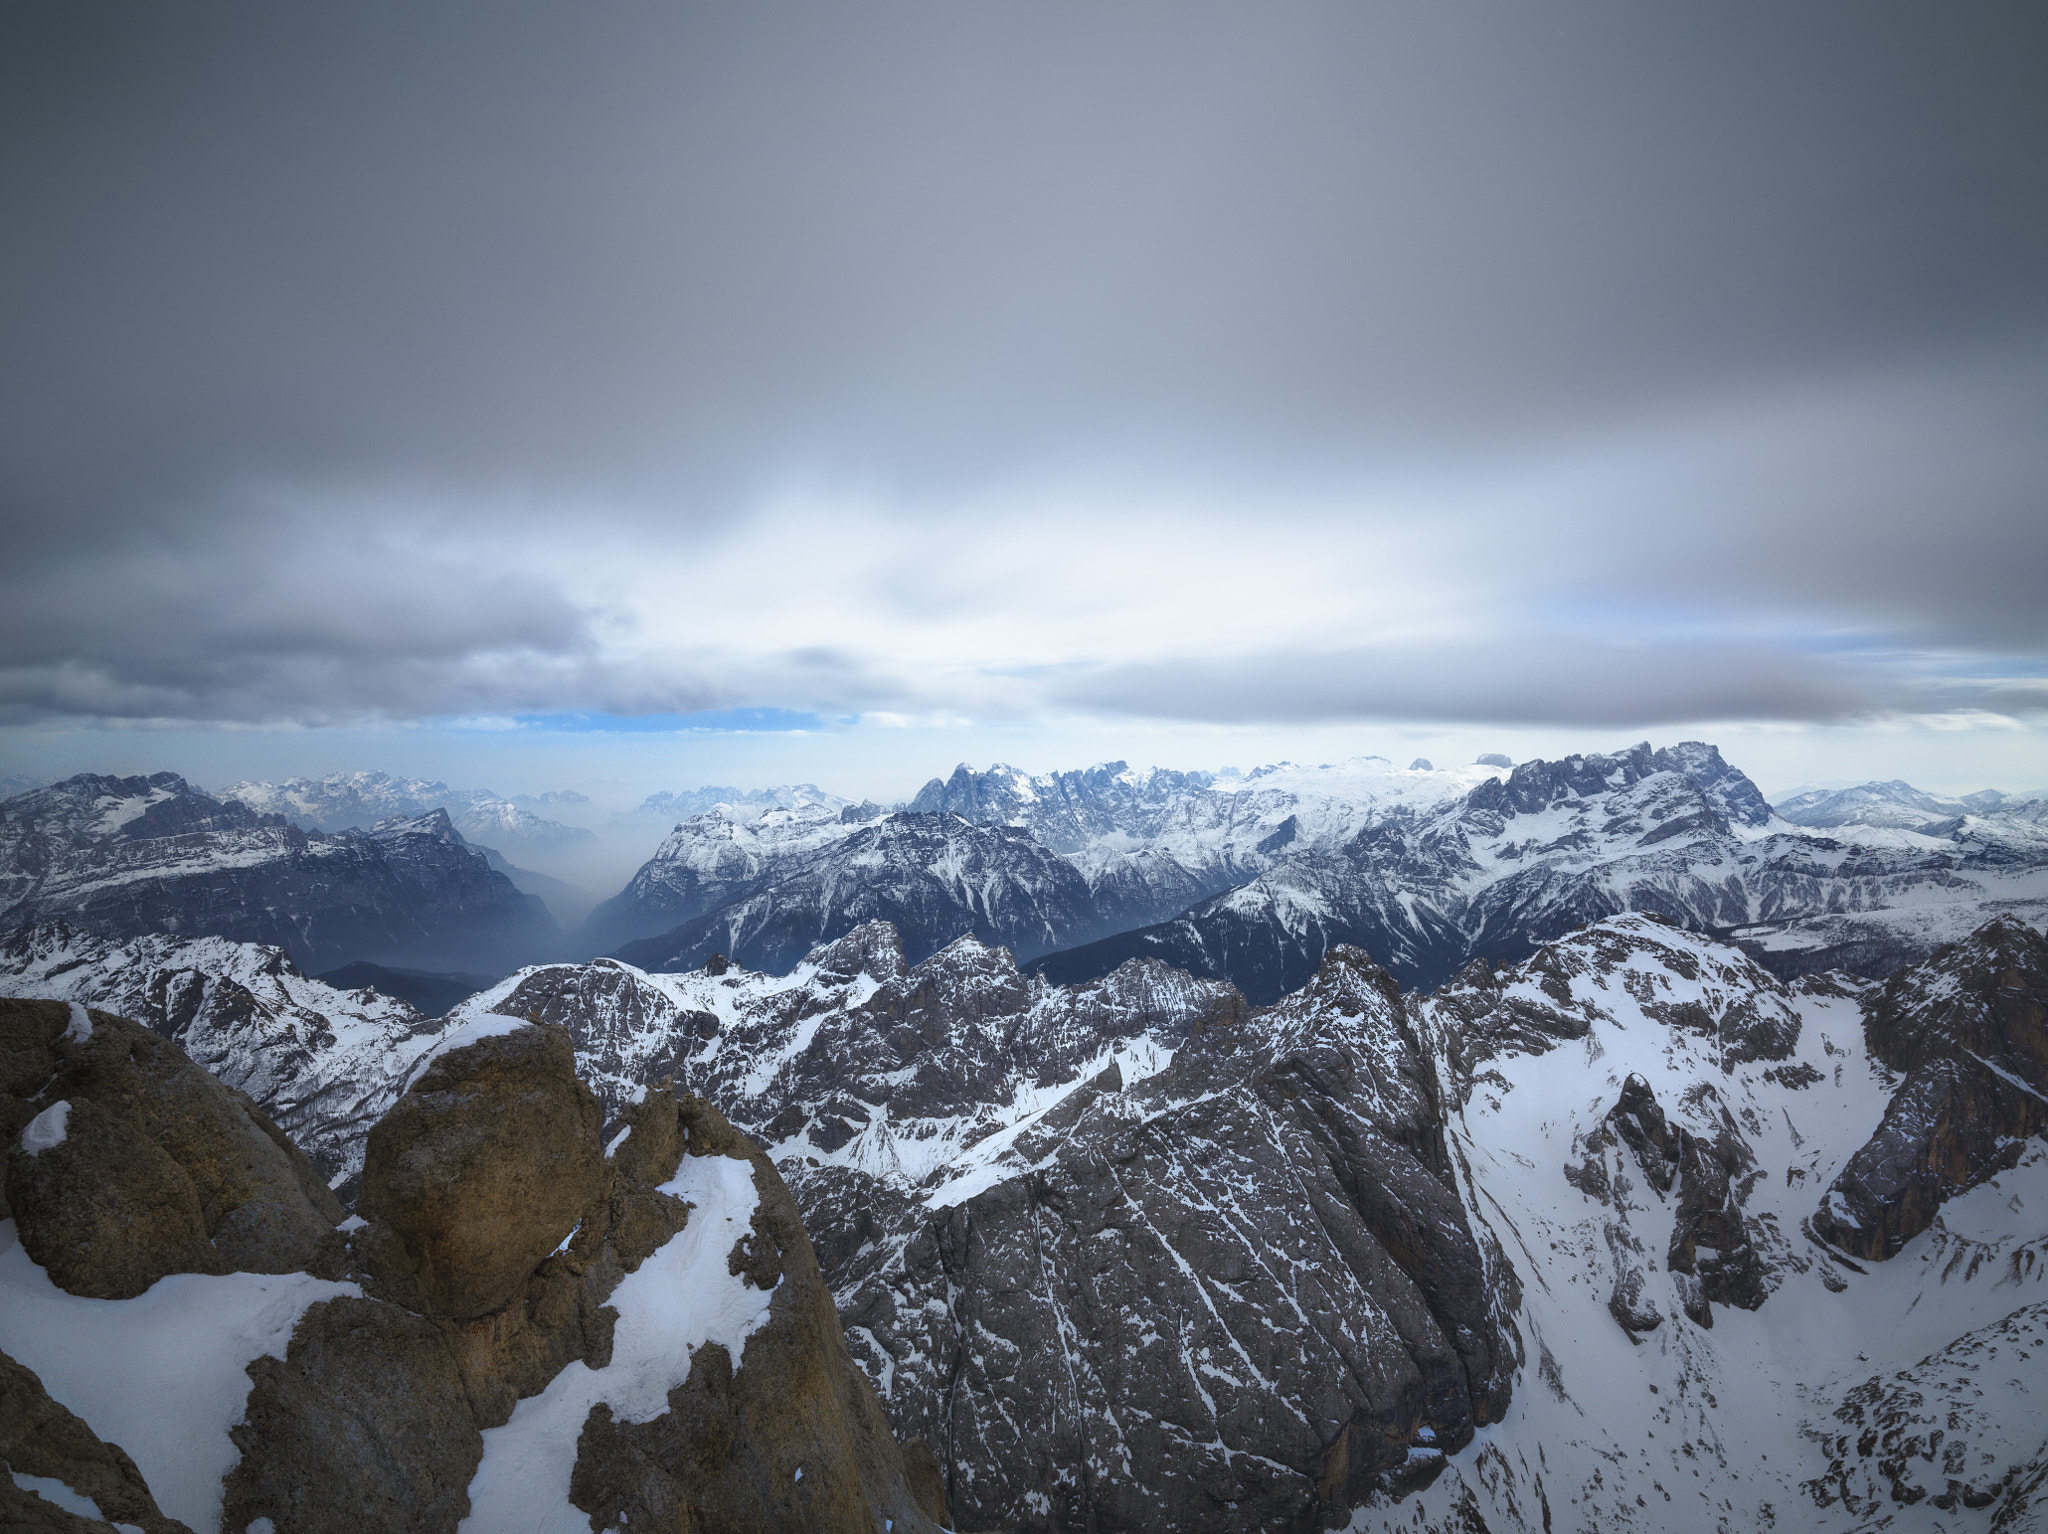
(40, 1439)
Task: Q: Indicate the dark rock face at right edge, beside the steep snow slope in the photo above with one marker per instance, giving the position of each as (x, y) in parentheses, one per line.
(1969, 1029)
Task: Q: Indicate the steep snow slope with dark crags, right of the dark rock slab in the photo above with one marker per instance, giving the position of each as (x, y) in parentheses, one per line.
(1826, 1394)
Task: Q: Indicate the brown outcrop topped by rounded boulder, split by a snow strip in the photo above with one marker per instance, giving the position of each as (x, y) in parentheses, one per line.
(499, 1240)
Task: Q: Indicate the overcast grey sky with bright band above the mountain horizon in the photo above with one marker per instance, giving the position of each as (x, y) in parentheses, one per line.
(1189, 384)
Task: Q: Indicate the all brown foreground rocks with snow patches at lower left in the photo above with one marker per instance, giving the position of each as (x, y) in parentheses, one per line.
(538, 1334)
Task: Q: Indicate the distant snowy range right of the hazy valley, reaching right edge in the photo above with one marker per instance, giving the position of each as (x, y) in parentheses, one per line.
(1254, 878)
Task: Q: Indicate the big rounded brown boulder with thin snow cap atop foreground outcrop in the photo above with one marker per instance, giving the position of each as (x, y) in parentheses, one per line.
(480, 1170)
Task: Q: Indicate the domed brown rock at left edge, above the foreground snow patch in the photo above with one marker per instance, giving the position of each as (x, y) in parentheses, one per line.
(151, 1166)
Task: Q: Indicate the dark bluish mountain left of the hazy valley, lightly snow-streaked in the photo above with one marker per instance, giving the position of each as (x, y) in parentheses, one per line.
(132, 857)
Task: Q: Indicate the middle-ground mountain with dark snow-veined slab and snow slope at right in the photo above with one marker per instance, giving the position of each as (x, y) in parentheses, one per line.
(1633, 1220)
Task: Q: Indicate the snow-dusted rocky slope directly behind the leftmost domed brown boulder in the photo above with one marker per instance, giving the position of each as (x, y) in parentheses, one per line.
(325, 1064)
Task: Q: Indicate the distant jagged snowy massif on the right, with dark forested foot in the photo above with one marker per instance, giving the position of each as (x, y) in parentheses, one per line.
(1555, 845)
